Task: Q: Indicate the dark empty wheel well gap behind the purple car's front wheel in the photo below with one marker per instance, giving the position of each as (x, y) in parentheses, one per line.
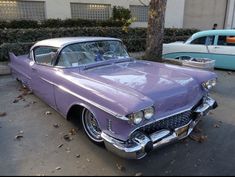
(75, 113)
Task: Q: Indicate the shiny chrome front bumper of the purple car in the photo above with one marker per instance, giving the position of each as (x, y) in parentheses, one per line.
(140, 145)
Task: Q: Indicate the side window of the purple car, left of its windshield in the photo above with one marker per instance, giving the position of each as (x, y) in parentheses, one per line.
(45, 55)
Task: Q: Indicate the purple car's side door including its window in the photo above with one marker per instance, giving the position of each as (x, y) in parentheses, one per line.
(43, 74)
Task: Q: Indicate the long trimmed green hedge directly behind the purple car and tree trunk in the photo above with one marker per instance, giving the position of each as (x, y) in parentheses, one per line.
(20, 40)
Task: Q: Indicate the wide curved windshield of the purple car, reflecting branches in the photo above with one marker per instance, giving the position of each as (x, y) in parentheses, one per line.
(91, 52)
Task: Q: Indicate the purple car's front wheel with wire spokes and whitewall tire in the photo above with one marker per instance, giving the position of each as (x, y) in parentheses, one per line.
(91, 126)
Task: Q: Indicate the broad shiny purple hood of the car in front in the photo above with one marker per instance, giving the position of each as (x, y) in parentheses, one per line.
(169, 89)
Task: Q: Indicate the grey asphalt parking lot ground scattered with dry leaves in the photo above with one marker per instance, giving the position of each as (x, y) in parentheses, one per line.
(40, 148)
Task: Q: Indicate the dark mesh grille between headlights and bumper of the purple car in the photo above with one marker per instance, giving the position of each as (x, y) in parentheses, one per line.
(170, 123)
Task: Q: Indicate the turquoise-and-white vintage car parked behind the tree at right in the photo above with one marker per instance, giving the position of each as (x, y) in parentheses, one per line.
(218, 45)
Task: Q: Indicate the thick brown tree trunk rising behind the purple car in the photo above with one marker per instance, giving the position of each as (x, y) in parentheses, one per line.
(156, 25)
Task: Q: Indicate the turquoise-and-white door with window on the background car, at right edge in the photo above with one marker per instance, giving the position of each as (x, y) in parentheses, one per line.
(224, 52)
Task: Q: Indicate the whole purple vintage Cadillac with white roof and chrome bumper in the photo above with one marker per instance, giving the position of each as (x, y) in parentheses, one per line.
(131, 106)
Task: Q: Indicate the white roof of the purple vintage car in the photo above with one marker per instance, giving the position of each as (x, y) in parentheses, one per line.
(61, 42)
